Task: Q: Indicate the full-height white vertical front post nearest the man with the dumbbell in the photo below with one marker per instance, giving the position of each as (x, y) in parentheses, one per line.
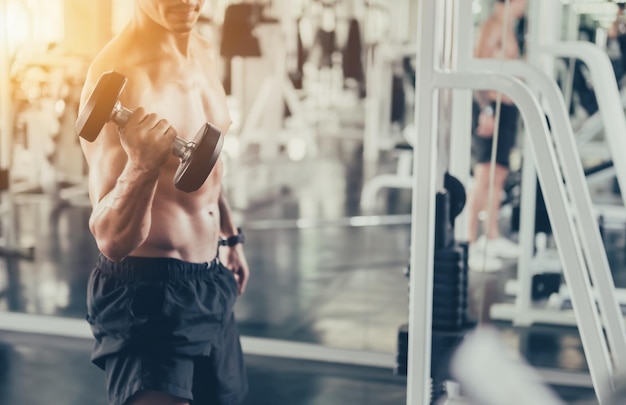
(423, 209)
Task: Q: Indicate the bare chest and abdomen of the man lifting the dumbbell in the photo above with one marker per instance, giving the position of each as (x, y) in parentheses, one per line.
(187, 94)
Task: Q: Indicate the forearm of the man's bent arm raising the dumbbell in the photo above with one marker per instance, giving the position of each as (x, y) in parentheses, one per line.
(121, 220)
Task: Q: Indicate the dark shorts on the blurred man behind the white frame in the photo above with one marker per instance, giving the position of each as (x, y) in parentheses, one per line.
(507, 131)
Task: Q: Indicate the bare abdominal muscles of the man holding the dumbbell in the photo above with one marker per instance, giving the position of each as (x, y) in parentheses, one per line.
(184, 226)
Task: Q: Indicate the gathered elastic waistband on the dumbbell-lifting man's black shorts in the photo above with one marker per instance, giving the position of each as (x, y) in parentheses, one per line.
(134, 268)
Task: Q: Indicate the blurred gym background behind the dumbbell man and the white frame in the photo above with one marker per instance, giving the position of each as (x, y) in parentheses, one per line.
(318, 172)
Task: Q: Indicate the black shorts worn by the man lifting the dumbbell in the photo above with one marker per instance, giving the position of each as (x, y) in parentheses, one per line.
(166, 325)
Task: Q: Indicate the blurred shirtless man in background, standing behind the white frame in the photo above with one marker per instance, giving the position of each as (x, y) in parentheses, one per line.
(490, 45)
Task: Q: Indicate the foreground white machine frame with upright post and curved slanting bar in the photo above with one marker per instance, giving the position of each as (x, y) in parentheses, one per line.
(561, 208)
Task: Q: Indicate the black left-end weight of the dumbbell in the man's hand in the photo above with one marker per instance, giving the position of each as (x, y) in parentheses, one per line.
(99, 107)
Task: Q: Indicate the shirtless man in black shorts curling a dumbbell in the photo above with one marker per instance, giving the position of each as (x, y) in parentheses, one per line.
(160, 301)
